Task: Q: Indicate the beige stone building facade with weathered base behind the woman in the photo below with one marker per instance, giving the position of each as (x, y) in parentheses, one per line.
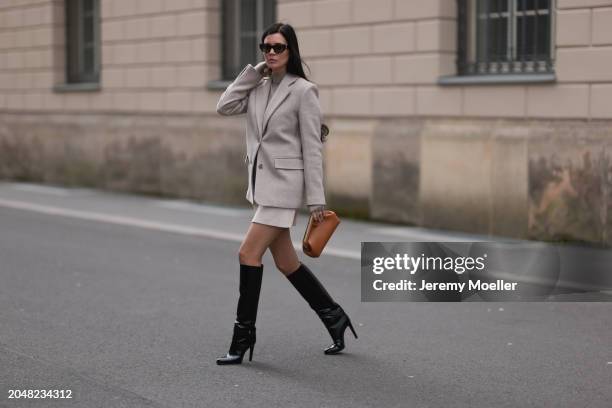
(413, 139)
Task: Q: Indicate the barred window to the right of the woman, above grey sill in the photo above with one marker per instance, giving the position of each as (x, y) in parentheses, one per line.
(505, 37)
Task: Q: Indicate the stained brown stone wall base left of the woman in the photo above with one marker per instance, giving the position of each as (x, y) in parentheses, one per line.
(181, 156)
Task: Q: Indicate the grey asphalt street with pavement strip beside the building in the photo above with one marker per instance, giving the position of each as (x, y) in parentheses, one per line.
(127, 301)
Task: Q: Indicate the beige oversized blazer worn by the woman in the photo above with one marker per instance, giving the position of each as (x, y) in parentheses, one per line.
(286, 137)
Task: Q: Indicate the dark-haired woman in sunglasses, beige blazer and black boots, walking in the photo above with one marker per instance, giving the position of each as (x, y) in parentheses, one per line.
(284, 157)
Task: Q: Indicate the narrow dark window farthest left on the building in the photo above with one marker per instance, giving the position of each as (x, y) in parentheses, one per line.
(82, 41)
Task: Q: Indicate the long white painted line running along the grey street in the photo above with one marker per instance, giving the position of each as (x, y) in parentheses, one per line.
(154, 225)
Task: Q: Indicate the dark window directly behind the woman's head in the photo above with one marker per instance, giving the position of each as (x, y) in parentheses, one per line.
(243, 24)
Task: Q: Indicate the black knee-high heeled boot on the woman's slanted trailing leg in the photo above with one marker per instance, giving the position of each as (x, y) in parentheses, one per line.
(331, 314)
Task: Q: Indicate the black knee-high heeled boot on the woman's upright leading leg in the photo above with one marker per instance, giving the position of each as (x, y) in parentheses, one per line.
(246, 314)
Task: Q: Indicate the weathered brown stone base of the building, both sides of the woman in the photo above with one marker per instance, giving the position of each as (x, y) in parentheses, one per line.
(549, 180)
